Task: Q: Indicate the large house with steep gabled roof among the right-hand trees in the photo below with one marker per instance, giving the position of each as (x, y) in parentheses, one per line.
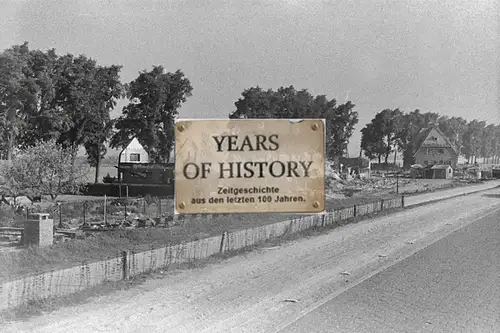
(433, 147)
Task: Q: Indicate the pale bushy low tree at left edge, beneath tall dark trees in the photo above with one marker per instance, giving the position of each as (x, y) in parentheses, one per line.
(46, 168)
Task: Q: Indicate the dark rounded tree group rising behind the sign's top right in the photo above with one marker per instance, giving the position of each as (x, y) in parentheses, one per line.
(288, 103)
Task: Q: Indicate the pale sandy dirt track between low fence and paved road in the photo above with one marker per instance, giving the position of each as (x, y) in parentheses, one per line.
(248, 293)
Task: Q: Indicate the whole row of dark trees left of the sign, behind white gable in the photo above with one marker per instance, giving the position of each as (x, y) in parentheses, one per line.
(45, 96)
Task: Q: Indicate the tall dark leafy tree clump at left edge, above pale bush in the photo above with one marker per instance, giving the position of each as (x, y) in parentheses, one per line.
(44, 96)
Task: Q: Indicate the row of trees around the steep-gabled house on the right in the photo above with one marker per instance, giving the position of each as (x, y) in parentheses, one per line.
(392, 131)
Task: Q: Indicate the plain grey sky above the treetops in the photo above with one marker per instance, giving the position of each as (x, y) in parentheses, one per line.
(439, 56)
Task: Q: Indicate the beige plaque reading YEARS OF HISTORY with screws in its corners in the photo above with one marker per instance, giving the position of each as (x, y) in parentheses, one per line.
(249, 166)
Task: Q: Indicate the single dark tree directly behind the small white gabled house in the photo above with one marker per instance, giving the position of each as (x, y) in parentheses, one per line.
(155, 99)
